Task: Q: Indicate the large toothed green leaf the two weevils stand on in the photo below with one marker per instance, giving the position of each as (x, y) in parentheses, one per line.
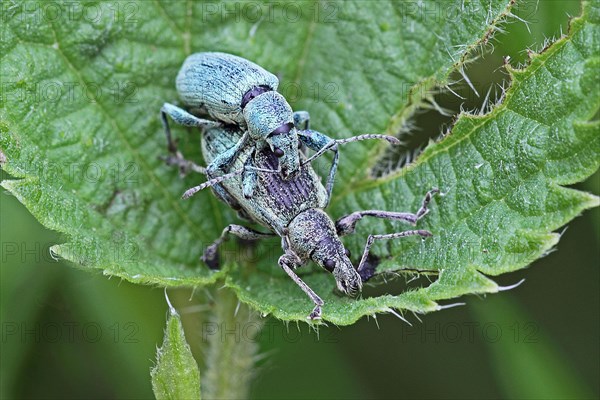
(79, 126)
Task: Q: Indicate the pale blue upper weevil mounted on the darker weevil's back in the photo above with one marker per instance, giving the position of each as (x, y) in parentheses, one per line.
(234, 91)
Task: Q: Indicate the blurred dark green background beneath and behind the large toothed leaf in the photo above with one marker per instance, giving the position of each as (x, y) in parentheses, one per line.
(71, 334)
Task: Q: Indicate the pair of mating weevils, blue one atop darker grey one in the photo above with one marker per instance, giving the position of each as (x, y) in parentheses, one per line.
(290, 204)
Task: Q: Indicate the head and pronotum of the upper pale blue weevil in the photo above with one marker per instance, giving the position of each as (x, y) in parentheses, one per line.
(270, 120)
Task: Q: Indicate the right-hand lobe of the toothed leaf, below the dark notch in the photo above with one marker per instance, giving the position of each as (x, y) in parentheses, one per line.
(500, 175)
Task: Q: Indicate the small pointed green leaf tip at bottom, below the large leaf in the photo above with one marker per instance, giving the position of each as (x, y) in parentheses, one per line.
(176, 374)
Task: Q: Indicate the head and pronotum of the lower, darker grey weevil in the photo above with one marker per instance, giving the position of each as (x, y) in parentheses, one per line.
(313, 236)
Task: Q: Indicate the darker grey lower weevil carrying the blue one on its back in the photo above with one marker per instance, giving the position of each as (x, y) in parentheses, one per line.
(291, 209)
